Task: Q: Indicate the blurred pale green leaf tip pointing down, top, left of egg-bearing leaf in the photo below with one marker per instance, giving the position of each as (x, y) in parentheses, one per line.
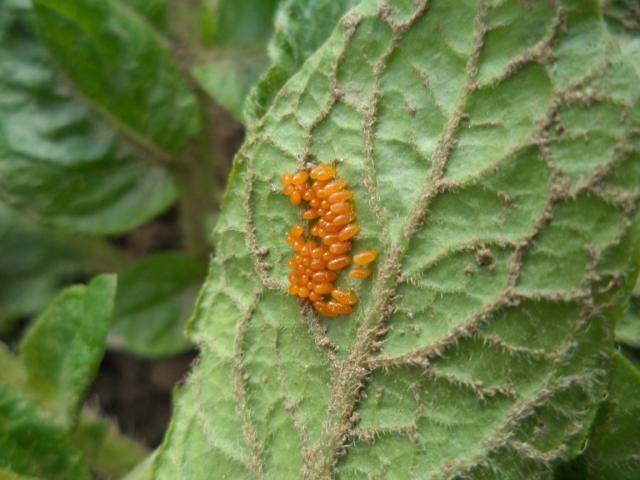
(236, 32)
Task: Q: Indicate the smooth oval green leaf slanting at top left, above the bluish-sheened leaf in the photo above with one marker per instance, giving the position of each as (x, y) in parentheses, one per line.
(122, 68)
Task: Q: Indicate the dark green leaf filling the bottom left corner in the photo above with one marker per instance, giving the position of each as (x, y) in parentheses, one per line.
(31, 446)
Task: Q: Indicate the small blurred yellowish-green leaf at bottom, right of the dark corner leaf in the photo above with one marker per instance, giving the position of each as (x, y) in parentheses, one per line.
(110, 454)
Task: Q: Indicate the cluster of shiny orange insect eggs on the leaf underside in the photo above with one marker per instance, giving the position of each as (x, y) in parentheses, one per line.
(329, 212)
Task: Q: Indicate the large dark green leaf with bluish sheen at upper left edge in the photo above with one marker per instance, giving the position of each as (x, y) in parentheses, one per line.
(56, 162)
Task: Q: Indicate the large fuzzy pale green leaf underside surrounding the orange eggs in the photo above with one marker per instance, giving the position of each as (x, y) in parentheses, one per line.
(492, 150)
